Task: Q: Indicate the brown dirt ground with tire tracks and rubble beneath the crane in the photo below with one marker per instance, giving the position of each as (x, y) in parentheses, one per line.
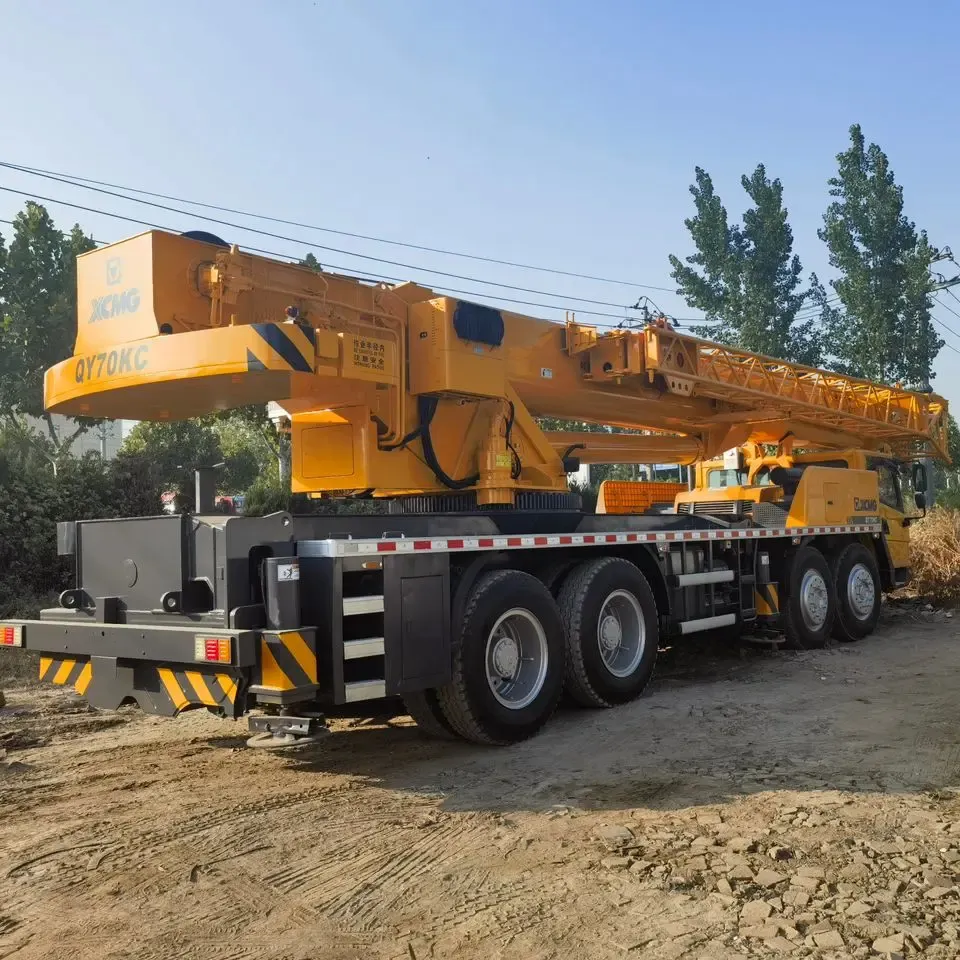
(752, 803)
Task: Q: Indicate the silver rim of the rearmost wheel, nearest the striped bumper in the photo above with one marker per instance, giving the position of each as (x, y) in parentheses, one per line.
(516, 659)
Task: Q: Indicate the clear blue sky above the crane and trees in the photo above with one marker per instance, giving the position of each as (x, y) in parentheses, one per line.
(555, 133)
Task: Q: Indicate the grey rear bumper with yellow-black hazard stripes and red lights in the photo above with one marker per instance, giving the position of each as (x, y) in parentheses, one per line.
(157, 667)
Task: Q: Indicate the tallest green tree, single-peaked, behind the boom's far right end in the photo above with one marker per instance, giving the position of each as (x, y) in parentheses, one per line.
(878, 325)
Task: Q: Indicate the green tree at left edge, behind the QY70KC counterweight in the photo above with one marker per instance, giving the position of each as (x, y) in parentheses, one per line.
(38, 316)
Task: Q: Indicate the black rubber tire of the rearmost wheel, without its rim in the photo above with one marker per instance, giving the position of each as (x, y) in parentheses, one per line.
(467, 701)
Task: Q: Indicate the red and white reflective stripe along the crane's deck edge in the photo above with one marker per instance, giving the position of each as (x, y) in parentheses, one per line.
(349, 548)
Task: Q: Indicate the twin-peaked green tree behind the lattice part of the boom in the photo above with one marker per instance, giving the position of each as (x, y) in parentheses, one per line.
(746, 278)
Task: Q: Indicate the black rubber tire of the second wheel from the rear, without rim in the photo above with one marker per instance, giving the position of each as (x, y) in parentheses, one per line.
(588, 682)
